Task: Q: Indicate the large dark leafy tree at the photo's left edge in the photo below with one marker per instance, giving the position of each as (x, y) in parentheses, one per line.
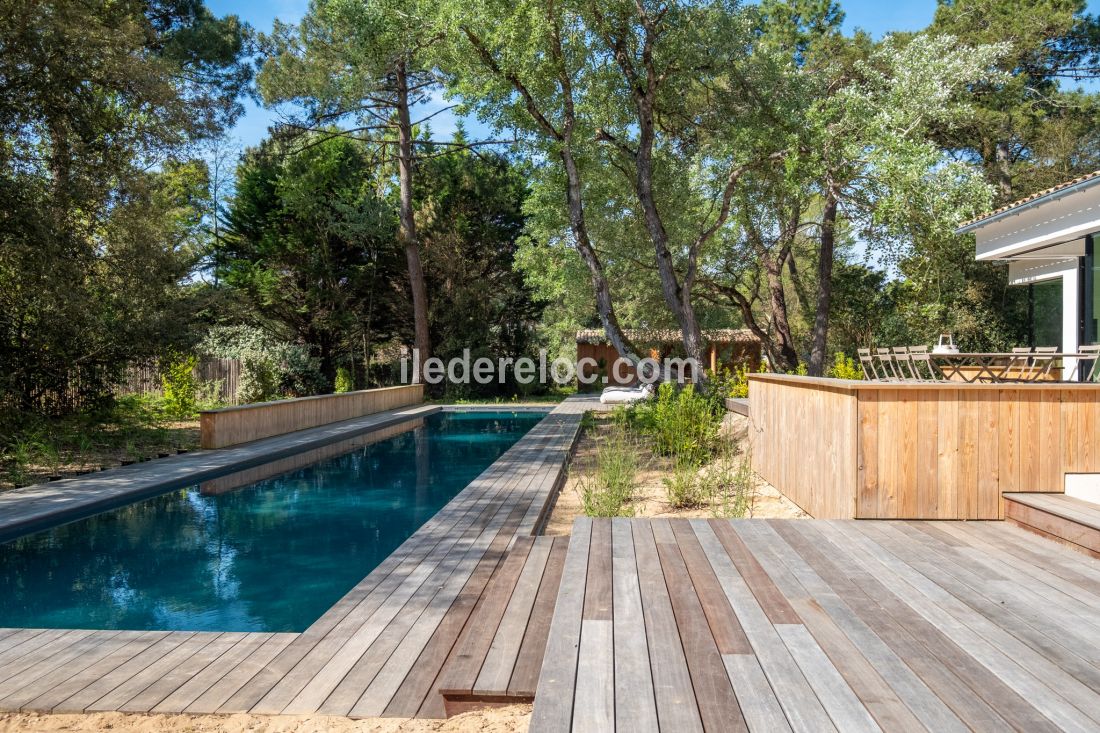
(97, 105)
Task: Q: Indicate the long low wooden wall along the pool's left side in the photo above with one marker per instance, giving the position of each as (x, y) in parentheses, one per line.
(233, 425)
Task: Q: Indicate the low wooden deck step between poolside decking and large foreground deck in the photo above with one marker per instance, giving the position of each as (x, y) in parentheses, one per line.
(498, 659)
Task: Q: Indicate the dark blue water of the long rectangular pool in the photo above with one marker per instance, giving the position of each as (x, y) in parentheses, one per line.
(272, 555)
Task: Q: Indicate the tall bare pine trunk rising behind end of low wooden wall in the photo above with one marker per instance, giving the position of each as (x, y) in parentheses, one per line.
(408, 228)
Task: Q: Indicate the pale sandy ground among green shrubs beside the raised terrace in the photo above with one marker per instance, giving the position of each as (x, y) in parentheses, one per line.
(651, 497)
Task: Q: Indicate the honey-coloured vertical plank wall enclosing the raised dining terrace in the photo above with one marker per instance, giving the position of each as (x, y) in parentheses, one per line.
(944, 452)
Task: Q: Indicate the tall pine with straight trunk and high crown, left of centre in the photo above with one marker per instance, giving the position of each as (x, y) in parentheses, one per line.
(368, 63)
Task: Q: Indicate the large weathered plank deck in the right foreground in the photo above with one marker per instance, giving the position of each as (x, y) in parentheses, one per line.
(816, 626)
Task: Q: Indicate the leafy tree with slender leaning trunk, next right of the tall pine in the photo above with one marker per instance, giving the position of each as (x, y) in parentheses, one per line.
(526, 68)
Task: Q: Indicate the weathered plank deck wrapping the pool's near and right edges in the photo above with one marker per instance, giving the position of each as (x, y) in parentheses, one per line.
(380, 651)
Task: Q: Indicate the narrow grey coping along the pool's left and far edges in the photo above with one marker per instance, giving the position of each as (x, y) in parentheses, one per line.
(42, 506)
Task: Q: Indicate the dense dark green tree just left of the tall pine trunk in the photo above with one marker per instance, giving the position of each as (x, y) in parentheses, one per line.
(311, 245)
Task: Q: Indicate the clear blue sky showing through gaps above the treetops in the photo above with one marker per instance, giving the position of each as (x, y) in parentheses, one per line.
(866, 15)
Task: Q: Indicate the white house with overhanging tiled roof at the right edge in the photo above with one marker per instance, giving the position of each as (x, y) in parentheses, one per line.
(1049, 242)
